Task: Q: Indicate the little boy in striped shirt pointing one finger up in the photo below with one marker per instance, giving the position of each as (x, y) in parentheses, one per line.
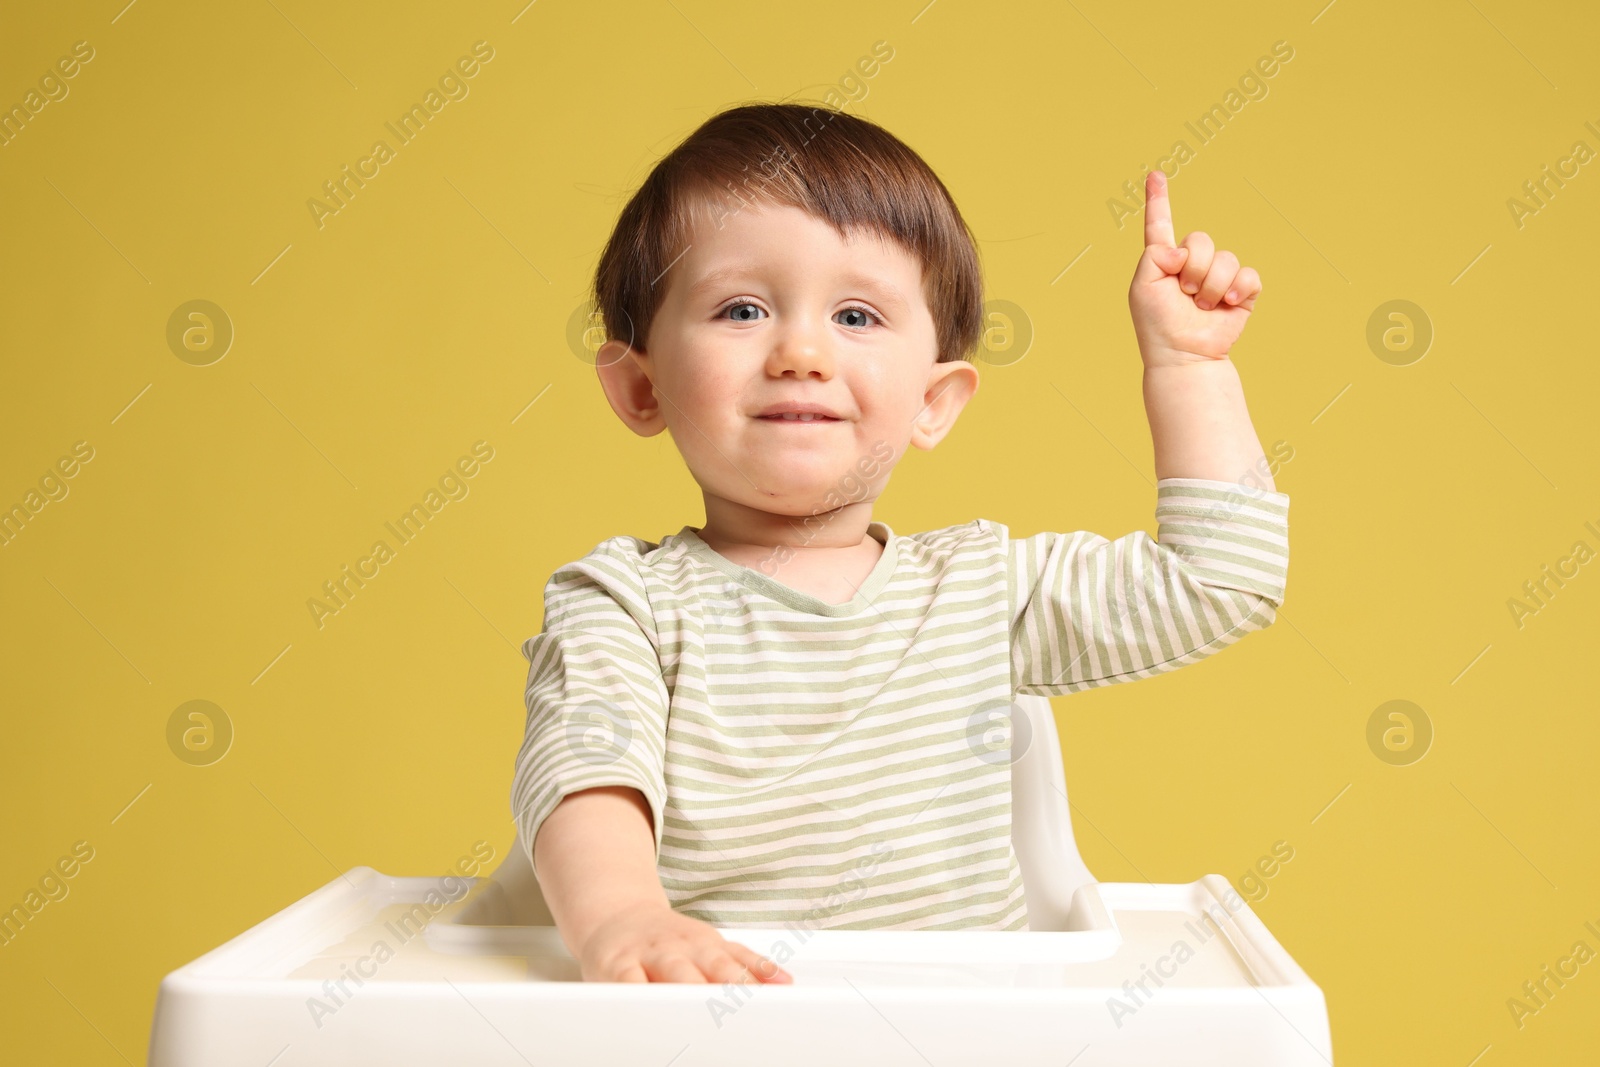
(793, 714)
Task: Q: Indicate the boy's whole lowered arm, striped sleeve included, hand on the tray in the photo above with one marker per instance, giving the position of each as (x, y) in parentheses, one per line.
(590, 785)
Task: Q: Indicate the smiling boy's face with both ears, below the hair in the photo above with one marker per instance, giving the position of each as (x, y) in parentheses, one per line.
(772, 308)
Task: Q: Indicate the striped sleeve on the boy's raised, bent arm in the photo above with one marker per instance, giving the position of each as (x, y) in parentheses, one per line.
(1089, 612)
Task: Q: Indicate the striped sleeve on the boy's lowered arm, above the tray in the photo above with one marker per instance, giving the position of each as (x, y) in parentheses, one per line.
(596, 698)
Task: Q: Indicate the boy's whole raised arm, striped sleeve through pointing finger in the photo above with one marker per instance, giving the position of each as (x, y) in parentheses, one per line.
(1090, 612)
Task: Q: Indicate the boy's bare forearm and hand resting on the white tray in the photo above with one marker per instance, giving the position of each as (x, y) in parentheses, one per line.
(598, 855)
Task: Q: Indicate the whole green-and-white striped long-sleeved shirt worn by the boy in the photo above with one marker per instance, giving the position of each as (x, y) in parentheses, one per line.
(849, 765)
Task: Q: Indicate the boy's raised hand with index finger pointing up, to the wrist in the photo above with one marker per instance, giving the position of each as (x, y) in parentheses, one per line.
(1190, 303)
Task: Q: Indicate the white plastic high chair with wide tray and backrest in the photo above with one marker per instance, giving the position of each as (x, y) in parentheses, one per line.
(414, 973)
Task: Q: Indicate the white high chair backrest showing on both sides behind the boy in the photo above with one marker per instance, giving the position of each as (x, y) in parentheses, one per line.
(1041, 833)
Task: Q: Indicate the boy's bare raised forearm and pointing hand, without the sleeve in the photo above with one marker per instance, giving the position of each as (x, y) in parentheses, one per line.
(1190, 305)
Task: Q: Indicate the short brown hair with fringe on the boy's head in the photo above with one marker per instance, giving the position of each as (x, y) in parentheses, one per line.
(841, 169)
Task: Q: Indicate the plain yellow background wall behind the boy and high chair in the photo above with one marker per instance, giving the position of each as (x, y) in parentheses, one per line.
(434, 308)
